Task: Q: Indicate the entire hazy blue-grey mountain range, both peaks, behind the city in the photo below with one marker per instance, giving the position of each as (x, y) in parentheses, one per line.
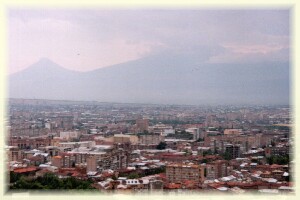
(162, 78)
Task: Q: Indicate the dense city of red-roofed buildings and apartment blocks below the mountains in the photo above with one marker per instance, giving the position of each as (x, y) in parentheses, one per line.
(107, 147)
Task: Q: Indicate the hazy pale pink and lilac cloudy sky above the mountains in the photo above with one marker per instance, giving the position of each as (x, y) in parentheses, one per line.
(83, 40)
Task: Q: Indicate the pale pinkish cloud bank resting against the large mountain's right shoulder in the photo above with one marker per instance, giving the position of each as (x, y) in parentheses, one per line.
(256, 47)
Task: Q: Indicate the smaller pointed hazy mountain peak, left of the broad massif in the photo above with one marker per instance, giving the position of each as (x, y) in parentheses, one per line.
(44, 79)
